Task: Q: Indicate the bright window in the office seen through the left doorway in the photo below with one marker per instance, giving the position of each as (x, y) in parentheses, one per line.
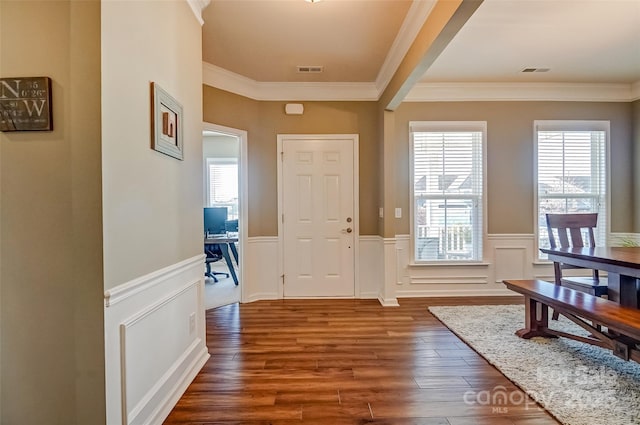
(223, 184)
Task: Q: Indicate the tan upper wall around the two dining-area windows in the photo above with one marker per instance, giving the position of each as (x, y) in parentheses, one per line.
(510, 147)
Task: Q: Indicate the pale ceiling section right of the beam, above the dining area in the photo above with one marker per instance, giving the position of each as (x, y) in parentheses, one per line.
(579, 41)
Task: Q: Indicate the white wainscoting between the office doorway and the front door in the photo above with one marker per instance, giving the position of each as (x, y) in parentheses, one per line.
(262, 281)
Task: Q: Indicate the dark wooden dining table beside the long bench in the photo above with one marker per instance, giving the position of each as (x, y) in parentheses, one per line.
(621, 263)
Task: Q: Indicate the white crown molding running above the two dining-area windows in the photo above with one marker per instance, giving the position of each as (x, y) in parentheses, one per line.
(567, 92)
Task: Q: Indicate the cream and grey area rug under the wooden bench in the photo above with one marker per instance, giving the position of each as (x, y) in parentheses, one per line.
(579, 384)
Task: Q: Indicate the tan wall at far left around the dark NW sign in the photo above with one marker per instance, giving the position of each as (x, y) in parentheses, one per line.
(52, 343)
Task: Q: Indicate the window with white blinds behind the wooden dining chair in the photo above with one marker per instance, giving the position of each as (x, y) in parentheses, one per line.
(572, 168)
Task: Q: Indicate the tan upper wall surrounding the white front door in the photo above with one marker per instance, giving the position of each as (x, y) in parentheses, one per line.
(263, 121)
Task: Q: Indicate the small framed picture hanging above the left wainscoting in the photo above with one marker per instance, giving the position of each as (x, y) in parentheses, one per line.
(166, 123)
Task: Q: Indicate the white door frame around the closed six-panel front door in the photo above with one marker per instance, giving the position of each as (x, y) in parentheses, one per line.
(356, 204)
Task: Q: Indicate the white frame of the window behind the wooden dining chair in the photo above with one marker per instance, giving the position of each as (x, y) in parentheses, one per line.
(565, 126)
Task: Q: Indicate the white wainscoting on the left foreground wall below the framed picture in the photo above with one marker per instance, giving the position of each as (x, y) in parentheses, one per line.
(154, 342)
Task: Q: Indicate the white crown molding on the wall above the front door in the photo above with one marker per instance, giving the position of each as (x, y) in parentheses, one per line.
(226, 80)
